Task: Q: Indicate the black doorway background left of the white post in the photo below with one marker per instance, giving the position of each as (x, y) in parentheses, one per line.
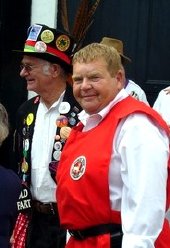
(14, 19)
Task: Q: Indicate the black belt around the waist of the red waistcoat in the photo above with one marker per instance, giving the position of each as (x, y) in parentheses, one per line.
(113, 229)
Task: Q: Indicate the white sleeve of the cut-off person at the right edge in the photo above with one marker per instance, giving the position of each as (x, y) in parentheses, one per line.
(162, 105)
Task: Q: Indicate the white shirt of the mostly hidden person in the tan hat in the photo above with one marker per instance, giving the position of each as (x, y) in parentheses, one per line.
(136, 91)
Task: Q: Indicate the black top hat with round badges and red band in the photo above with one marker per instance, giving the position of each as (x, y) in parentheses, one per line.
(49, 44)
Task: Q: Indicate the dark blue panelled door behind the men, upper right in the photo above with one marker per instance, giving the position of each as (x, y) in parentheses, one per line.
(143, 26)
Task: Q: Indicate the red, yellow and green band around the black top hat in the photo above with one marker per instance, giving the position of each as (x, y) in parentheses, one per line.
(41, 47)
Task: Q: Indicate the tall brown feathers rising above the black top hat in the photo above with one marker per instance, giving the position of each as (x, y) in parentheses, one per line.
(82, 21)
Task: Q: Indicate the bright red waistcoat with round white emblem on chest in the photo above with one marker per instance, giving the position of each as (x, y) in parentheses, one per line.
(82, 176)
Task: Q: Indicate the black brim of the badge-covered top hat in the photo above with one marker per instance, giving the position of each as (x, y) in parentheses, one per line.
(48, 57)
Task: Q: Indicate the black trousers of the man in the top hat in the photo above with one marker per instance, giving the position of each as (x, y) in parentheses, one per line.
(44, 232)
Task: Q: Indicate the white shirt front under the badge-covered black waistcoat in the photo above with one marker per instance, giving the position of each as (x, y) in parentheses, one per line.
(43, 187)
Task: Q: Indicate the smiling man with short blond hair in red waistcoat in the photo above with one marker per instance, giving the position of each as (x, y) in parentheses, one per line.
(112, 176)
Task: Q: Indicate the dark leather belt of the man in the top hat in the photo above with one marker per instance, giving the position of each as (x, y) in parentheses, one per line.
(45, 208)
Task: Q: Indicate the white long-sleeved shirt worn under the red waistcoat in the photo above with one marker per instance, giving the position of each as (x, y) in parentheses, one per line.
(137, 176)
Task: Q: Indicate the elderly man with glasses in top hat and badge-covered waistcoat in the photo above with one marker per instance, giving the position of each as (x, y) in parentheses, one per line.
(46, 66)
